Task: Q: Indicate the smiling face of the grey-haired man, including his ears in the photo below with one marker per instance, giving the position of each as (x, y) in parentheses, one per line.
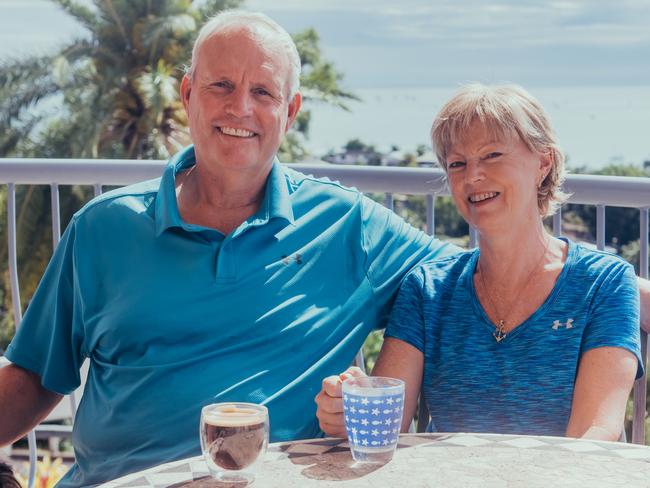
(237, 101)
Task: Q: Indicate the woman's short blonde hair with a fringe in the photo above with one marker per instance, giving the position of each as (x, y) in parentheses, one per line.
(506, 110)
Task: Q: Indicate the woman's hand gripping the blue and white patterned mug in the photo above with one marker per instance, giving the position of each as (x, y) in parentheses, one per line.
(330, 403)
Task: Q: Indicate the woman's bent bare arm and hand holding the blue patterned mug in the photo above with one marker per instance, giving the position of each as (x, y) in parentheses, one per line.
(397, 359)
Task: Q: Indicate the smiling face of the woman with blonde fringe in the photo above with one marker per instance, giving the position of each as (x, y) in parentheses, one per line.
(494, 181)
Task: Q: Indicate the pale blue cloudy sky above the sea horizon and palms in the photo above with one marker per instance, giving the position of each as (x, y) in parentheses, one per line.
(419, 43)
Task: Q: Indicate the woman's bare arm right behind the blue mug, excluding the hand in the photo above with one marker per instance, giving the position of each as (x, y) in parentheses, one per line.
(399, 359)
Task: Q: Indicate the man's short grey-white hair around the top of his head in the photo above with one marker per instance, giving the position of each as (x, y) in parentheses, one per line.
(228, 19)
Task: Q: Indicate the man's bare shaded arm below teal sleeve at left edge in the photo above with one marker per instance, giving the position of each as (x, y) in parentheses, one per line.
(24, 402)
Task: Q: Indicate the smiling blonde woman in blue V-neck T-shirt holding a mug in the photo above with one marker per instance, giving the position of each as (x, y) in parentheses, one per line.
(528, 334)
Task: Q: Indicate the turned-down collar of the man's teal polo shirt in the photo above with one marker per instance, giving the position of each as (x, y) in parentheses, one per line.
(276, 202)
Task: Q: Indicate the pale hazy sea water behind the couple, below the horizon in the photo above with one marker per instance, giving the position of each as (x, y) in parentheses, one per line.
(596, 125)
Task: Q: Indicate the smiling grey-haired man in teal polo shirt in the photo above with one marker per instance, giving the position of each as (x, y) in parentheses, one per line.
(230, 278)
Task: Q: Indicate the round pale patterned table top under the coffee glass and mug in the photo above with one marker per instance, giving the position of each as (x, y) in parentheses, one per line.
(429, 460)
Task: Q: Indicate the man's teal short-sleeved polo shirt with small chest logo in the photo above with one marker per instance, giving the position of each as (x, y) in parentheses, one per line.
(174, 316)
